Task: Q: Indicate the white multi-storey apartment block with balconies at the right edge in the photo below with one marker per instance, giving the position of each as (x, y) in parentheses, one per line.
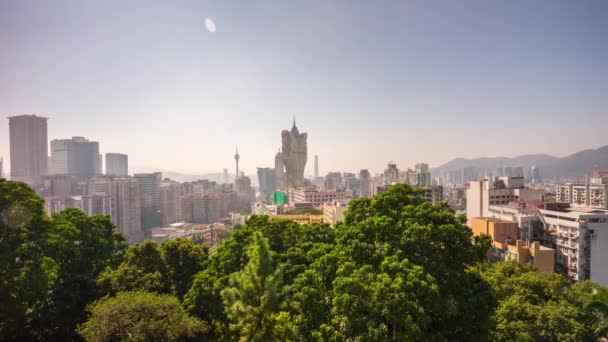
(579, 235)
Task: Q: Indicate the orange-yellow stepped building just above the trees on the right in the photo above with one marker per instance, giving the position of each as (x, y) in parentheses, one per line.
(506, 246)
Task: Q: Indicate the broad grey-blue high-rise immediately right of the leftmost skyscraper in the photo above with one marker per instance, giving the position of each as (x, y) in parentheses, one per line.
(78, 157)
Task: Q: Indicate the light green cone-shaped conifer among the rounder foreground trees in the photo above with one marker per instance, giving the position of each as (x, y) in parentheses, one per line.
(253, 301)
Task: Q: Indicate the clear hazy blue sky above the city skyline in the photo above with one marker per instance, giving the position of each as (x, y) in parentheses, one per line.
(369, 81)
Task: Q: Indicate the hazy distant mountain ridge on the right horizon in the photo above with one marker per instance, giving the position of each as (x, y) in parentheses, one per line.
(575, 165)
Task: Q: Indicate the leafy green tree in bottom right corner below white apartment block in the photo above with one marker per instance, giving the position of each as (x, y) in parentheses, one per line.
(535, 306)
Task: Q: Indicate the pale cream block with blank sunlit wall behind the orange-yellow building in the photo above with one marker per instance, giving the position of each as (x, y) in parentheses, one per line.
(501, 190)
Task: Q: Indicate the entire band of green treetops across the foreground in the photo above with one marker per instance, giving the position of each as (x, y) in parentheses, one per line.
(396, 269)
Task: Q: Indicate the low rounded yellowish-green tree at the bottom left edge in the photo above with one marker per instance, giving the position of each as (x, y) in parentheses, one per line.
(140, 316)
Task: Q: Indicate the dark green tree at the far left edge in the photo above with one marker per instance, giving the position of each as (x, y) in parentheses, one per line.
(26, 274)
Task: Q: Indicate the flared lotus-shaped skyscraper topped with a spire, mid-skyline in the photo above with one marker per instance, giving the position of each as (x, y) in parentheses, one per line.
(294, 153)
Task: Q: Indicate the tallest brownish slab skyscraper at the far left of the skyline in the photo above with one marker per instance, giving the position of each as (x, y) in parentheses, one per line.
(29, 148)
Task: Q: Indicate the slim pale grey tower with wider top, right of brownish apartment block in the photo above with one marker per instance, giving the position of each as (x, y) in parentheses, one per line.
(149, 192)
